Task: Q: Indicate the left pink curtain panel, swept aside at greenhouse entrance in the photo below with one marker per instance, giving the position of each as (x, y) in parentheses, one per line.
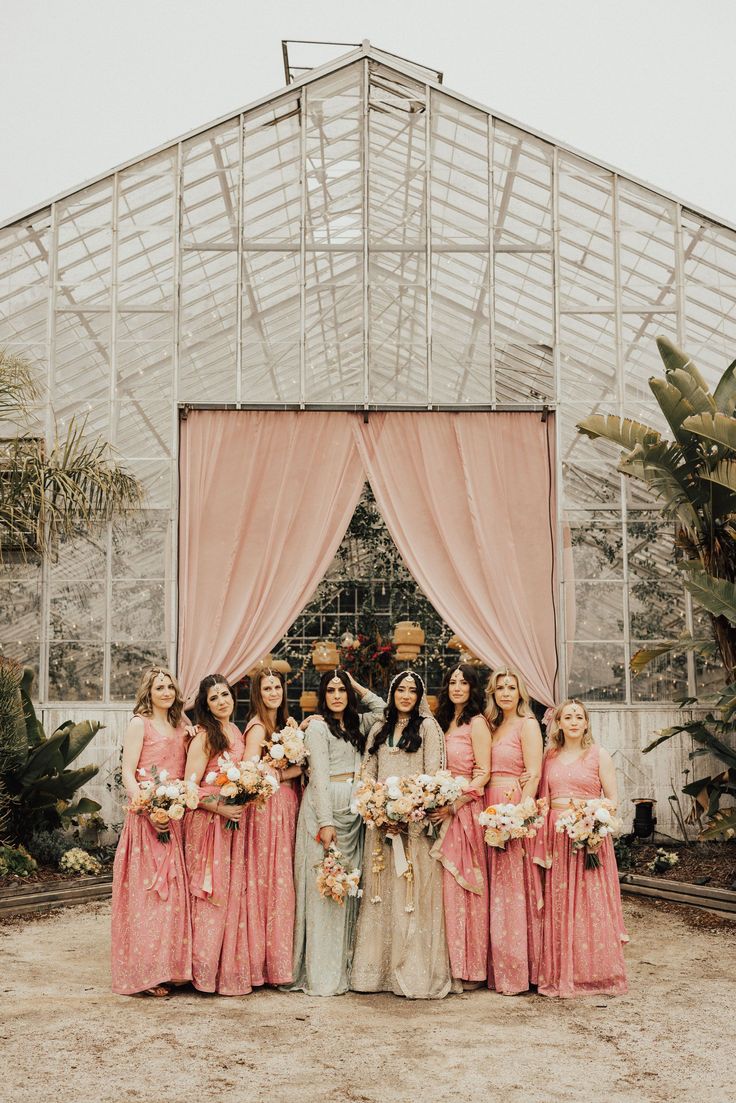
(265, 499)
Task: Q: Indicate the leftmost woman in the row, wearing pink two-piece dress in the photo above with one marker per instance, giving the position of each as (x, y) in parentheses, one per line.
(152, 940)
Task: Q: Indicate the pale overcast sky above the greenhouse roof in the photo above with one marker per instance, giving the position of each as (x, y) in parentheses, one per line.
(644, 85)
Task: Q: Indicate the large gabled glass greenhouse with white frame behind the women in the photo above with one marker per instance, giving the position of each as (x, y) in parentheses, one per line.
(364, 242)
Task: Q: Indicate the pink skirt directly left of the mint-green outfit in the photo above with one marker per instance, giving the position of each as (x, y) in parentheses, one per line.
(271, 834)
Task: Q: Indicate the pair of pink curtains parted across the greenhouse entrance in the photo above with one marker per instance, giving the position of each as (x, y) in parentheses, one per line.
(266, 498)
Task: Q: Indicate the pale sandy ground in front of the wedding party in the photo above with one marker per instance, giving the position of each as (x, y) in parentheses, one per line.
(65, 1036)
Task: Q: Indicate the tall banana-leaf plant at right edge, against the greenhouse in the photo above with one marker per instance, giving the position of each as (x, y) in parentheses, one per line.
(694, 475)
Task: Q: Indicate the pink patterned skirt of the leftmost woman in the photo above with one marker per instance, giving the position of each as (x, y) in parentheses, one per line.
(152, 934)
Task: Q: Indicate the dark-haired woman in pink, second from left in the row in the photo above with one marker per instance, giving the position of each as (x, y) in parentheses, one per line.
(216, 855)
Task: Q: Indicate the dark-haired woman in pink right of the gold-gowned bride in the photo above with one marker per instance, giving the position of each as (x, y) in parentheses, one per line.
(461, 847)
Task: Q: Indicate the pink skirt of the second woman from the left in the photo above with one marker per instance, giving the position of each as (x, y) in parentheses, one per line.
(216, 863)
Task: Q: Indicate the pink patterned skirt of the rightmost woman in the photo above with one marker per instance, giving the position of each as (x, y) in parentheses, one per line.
(584, 930)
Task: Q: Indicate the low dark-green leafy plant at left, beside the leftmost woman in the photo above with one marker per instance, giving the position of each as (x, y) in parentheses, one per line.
(37, 786)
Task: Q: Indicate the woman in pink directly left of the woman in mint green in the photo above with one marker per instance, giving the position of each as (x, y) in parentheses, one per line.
(271, 833)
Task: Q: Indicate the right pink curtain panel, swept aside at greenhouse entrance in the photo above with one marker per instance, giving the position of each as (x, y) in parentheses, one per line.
(467, 499)
